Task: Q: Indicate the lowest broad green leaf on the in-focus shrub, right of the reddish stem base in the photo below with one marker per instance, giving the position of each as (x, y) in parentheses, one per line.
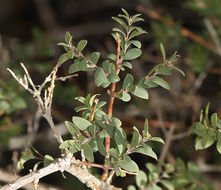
(128, 164)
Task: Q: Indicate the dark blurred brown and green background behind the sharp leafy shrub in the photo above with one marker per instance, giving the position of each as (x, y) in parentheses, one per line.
(29, 32)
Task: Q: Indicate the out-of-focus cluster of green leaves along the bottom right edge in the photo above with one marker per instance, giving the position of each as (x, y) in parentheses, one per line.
(182, 177)
